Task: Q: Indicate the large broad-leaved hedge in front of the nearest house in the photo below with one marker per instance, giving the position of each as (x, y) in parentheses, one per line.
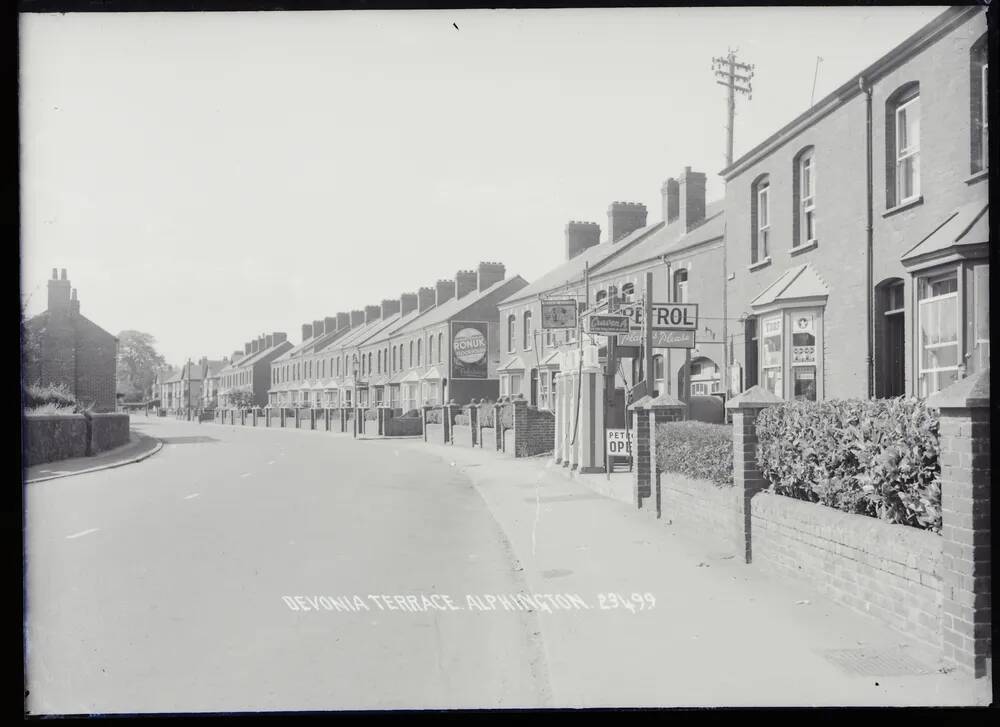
(877, 458)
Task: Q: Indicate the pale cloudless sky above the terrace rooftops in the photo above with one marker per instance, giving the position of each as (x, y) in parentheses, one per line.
(208, 177)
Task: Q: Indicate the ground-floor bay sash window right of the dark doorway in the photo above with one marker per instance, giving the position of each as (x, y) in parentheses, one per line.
(938, 324)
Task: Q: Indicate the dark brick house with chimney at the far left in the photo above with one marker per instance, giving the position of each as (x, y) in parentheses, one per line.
(72, 350)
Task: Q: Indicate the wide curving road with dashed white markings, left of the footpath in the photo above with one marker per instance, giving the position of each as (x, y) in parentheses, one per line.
(158, 586)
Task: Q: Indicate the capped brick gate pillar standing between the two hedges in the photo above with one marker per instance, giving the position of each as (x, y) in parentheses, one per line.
(747, 479)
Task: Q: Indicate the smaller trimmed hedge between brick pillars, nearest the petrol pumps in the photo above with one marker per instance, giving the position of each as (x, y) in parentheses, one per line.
(696, 449)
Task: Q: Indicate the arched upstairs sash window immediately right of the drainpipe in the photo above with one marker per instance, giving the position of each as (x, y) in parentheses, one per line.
(903, 146)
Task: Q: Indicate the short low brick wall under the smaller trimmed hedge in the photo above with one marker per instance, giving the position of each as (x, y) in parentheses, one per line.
(696, 503)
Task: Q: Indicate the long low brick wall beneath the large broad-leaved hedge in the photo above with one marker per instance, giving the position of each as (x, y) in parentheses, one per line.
(892, 572)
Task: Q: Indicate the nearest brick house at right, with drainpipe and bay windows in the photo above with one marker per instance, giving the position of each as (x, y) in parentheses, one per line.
(801, 222)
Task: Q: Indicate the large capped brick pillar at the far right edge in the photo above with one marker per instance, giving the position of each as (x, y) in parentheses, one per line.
(964, 433)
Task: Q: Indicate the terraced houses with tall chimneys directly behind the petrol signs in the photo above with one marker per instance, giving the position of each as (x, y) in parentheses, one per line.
(684, 252)
